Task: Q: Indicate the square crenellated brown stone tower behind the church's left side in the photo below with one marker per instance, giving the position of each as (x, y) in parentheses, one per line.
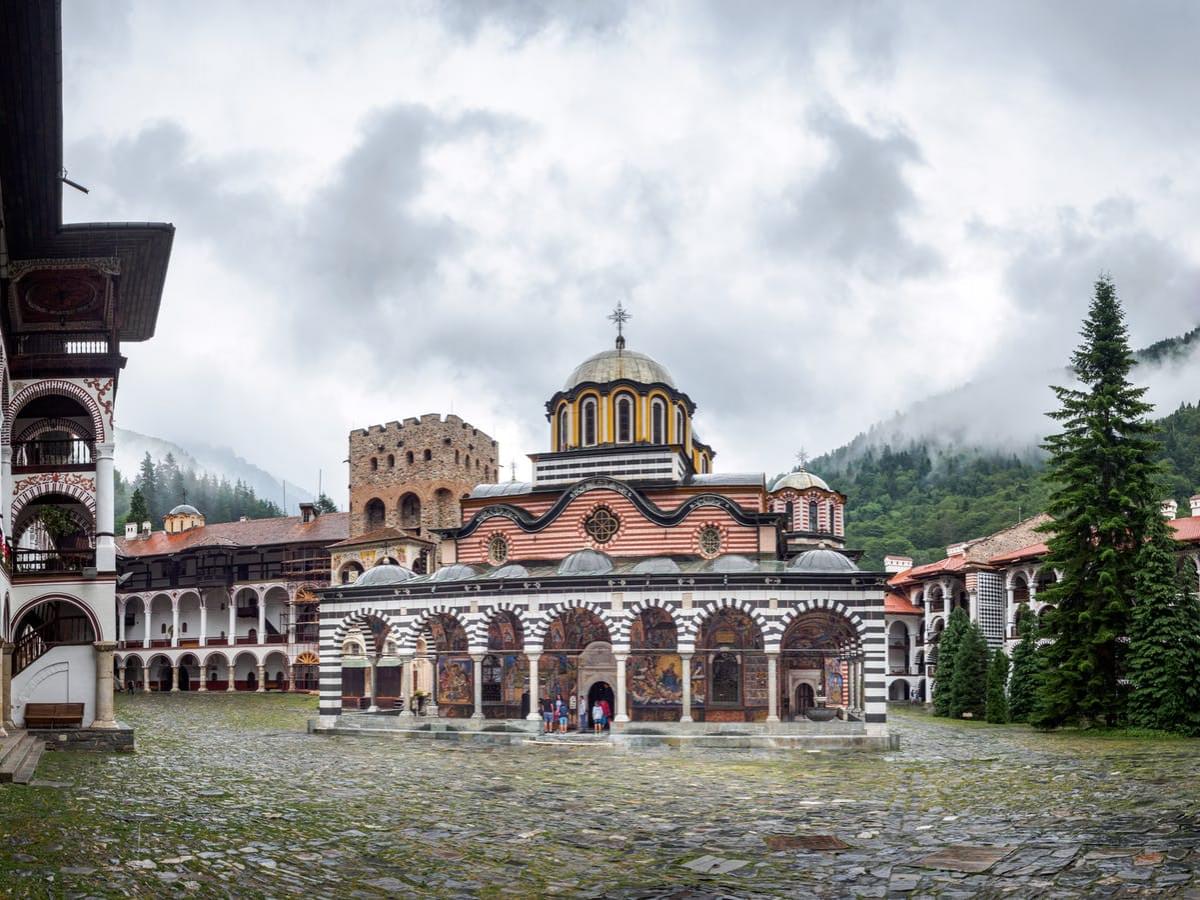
(415, 475)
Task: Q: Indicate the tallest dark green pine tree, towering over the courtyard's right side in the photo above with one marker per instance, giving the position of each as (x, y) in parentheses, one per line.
(1105, 484)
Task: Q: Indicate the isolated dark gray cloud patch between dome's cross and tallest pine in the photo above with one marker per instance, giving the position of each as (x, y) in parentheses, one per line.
(854, 211)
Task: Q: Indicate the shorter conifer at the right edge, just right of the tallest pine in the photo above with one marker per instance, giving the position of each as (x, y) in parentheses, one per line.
(1165, 641)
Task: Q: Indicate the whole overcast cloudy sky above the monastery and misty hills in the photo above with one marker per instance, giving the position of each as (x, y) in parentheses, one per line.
(817, 213)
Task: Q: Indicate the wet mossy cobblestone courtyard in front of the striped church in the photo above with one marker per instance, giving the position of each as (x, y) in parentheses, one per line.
(230, 797)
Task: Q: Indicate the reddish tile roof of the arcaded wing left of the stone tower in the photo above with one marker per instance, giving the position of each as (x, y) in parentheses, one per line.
(326, 530)
